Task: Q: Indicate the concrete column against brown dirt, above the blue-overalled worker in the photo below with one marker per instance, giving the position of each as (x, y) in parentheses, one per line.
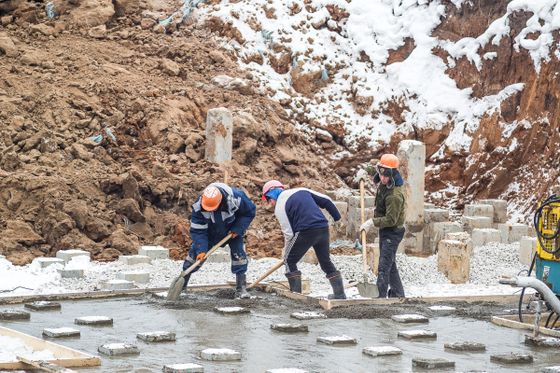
(219, 131)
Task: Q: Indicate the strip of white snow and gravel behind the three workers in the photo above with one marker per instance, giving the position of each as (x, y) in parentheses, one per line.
(420, 275)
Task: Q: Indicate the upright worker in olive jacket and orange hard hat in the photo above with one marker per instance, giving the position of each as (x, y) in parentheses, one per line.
(389, 218)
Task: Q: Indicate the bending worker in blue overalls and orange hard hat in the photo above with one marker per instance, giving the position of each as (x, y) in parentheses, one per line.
(220, 210)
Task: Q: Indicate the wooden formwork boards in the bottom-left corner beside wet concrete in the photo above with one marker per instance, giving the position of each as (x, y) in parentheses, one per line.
(64, 356)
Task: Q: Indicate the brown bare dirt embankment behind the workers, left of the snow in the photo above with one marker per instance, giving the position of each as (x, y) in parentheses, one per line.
(102, 132)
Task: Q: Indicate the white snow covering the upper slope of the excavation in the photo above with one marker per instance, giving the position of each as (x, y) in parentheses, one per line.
(348, 44)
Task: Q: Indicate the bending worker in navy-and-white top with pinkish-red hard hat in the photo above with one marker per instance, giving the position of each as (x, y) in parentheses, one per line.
(304, 225)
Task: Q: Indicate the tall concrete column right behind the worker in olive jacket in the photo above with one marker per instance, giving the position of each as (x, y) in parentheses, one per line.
(412, 157)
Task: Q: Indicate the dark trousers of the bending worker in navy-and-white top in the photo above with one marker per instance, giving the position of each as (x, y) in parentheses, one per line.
(301, 242)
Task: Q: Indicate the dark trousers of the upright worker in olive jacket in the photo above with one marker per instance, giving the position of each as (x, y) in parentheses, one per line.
(388, 276)
